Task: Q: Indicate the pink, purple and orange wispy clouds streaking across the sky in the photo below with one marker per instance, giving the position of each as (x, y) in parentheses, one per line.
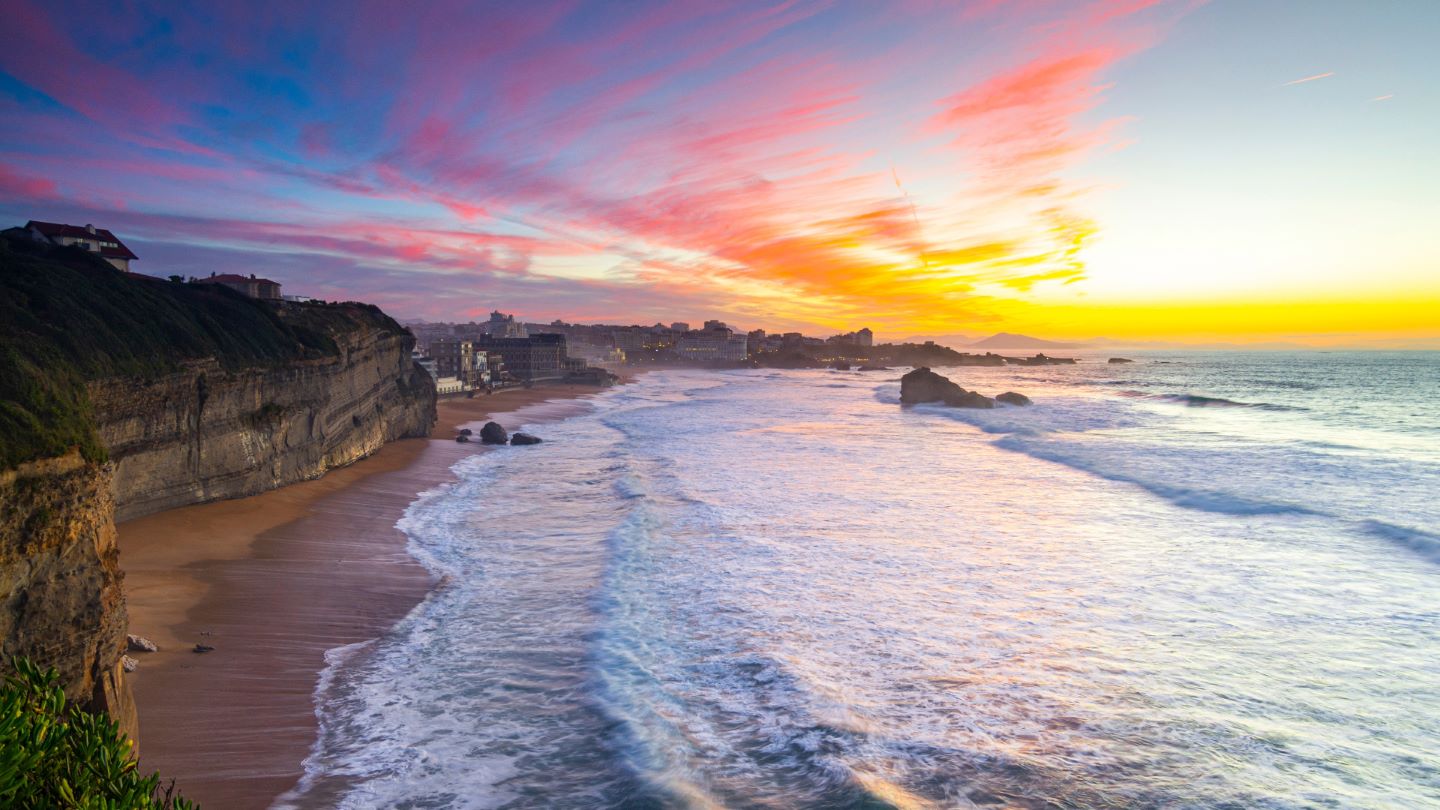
(581, 159)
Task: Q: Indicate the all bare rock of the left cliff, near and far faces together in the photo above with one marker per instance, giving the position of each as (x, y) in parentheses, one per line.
(199, 435)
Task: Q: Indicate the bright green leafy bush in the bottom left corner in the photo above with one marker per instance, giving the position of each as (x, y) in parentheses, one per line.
(54, 755)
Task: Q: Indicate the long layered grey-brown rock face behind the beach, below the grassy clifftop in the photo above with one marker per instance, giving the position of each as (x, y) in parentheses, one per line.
(208, 435)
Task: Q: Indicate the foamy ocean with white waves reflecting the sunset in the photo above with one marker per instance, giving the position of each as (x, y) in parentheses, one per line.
(1202, 580)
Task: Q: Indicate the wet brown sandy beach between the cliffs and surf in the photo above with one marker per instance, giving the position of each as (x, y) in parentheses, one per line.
(271, 583)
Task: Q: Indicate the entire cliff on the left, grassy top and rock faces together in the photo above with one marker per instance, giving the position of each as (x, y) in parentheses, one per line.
(125, 396)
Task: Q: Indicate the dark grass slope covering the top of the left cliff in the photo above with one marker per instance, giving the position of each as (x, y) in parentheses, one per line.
(67, 318)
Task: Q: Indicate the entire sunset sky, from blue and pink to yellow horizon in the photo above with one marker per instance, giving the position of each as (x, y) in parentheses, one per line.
(1243, 171)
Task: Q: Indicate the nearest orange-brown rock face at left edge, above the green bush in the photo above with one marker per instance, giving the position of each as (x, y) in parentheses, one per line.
(61, 599)
